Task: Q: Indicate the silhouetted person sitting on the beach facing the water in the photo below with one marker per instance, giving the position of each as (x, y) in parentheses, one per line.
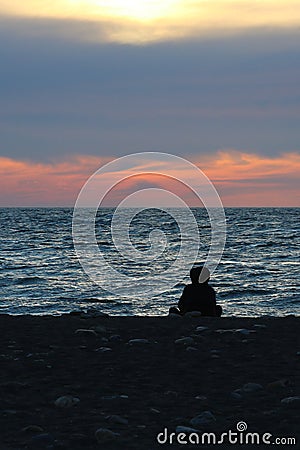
(198, 296)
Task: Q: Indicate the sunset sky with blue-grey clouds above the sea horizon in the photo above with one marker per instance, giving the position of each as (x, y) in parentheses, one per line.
(84, 82)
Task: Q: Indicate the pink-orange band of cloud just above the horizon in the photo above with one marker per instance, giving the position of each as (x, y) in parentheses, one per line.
(242, 179)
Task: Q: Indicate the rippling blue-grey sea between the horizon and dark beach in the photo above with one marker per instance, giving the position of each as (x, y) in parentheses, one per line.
(40, 273)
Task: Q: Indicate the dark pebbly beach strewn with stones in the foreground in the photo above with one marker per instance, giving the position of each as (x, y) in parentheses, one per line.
(137, 389)
